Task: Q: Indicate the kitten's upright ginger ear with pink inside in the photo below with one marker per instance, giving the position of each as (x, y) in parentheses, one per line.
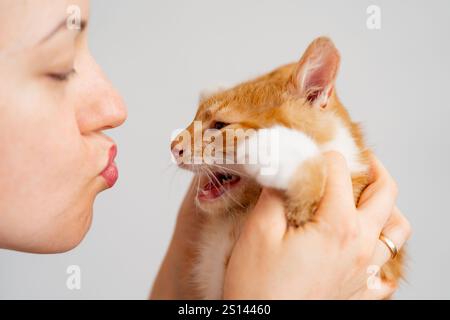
(314, 76)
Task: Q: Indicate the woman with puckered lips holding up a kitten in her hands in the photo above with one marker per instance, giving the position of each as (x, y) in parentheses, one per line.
(54, 106)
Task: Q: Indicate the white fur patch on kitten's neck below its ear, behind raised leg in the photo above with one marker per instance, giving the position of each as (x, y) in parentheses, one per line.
(344, 143)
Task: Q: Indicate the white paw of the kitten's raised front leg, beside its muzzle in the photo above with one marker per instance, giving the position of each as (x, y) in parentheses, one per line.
(279, 152)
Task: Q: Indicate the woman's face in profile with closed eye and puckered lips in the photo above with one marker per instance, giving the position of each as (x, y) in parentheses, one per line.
(54, 104)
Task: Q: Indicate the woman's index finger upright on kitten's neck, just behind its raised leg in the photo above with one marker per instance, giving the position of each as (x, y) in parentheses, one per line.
(337, 203)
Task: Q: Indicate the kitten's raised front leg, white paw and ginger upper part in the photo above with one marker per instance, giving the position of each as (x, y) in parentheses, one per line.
(295, 166)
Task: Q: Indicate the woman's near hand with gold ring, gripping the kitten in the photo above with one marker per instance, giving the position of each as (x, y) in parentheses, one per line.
(326, 259)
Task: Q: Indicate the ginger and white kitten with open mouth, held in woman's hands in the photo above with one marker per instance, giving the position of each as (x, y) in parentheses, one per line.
(297, 104)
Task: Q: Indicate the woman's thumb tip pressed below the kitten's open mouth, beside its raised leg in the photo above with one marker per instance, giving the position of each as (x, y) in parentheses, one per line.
(268, 216)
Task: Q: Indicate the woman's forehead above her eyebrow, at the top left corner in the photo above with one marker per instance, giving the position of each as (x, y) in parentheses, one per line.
(25, 22)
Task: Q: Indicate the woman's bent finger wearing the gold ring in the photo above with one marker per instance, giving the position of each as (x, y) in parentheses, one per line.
(398, 230)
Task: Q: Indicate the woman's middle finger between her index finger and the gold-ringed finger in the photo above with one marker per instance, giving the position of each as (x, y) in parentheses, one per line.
(378, 199)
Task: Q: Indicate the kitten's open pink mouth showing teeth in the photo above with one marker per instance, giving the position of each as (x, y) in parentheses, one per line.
(217, 185)
